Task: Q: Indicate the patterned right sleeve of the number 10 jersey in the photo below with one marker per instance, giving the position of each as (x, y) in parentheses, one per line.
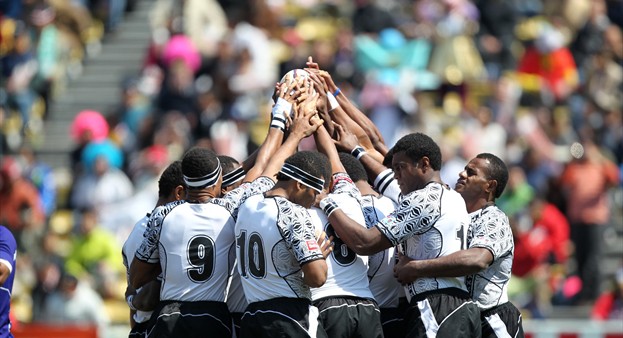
(299, 233)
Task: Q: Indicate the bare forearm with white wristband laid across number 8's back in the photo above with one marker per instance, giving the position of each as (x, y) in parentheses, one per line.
(360, 239)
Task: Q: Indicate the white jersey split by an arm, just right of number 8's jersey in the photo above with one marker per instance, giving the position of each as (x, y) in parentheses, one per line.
(383, 284)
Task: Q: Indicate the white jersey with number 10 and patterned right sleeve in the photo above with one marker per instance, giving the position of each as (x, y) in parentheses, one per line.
(274, 237)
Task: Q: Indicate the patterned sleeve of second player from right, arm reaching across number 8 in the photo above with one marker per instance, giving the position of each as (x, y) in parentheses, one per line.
(415, 214)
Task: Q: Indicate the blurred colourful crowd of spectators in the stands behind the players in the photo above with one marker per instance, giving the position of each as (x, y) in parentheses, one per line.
(537, 83)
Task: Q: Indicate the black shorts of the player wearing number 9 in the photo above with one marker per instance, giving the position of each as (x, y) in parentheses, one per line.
(191, 319)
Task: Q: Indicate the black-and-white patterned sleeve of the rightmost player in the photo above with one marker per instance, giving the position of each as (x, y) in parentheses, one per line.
(492, 231)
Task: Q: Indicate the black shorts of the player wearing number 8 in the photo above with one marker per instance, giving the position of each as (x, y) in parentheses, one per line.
(350, 317)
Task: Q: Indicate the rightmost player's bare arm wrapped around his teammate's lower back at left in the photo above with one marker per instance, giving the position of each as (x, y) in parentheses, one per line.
(457, 264)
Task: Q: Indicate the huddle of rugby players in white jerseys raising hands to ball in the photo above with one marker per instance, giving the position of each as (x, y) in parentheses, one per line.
(349, 240)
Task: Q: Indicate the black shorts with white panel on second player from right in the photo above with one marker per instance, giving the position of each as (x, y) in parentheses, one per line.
(443, 313)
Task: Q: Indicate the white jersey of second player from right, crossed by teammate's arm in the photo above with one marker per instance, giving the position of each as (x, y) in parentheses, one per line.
(428, 223)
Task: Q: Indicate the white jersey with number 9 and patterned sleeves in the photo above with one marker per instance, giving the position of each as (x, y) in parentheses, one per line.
(192, 242)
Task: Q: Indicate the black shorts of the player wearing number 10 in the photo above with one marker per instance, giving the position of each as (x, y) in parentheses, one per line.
(281, 317)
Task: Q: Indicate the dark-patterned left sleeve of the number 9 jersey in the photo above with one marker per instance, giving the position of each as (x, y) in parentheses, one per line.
(148, 250)
